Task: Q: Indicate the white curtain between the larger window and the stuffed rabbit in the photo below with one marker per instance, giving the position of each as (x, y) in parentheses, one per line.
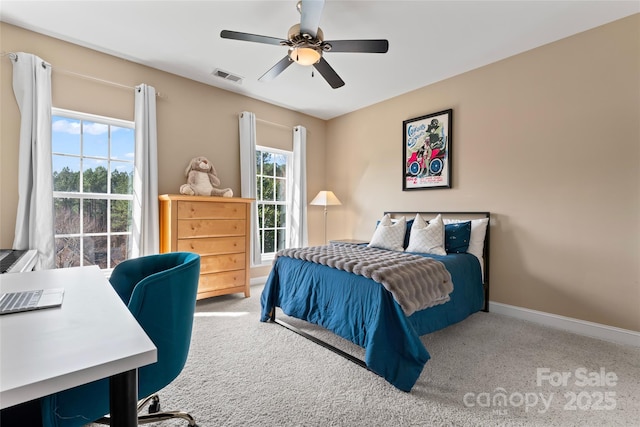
(145, 176)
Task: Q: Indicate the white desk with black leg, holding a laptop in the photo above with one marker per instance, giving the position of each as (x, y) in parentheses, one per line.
(92, 336)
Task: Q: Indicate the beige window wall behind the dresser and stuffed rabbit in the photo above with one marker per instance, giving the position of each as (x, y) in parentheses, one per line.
(193, 118)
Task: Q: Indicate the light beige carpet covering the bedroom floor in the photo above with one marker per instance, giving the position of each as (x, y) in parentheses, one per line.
(487, 370)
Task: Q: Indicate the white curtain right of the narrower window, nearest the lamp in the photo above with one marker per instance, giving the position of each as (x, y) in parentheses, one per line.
(297, 191)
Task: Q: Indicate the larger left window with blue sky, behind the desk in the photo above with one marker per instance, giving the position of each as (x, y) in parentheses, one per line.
(93, 162)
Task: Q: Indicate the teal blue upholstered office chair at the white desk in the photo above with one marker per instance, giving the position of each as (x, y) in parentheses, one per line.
(160, 291)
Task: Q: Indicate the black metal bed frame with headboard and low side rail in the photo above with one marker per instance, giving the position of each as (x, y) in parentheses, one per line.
(360, 362)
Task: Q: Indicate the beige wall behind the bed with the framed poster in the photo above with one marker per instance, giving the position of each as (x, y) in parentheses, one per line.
(549, 142)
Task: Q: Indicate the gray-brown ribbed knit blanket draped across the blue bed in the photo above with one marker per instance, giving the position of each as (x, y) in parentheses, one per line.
(415, 282)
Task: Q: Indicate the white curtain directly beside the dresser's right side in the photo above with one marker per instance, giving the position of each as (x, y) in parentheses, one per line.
(248, 178)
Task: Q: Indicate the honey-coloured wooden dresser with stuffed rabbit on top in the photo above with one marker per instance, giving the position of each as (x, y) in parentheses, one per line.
(217, 228)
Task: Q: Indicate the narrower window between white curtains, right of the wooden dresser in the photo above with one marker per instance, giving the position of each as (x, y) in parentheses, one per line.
(271, 182)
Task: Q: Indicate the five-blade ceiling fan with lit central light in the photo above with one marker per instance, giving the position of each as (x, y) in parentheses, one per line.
(307, 45)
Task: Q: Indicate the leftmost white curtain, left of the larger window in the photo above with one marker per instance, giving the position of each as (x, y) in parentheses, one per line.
(34, 219)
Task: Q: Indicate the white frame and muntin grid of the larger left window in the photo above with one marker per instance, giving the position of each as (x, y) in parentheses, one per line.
(82, 196)
